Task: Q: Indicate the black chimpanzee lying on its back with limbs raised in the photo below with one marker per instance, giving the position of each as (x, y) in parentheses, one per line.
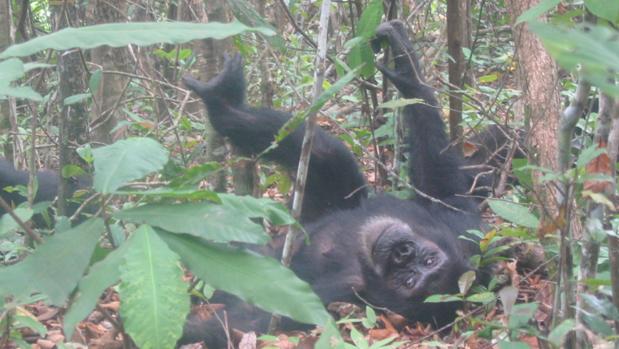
(383, 251)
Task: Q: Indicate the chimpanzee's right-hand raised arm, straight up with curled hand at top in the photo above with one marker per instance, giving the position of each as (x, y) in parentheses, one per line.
(434, 166)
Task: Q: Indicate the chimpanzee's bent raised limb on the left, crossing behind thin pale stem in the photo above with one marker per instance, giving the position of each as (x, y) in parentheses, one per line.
(334, 180)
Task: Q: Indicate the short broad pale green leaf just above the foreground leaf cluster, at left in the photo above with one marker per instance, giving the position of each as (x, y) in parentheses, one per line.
(126, 160)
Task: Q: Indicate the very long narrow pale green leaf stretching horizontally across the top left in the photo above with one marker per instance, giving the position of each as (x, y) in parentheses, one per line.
(122, 34)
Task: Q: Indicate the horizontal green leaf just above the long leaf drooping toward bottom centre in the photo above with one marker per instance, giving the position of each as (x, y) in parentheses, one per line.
(206, 220)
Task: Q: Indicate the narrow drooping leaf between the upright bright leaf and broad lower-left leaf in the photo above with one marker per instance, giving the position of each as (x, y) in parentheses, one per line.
(100, 276)
